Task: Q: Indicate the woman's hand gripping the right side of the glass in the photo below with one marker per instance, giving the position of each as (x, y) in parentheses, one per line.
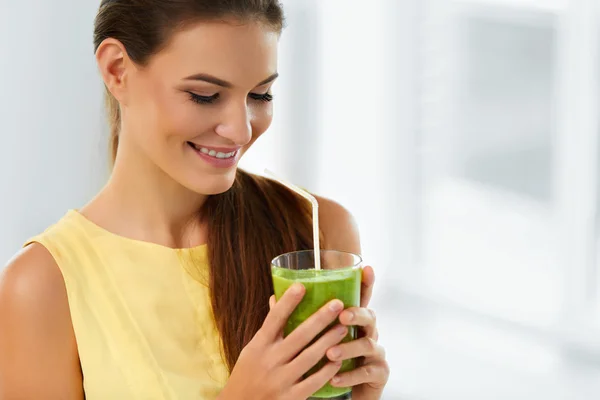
(372, 372)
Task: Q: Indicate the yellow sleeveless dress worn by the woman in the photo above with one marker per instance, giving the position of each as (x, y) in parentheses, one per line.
(141, 313)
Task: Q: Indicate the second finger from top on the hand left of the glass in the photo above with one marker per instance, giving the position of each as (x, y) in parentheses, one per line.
(309, 329)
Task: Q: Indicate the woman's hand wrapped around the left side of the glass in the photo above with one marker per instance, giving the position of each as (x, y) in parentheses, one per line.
(271, 367)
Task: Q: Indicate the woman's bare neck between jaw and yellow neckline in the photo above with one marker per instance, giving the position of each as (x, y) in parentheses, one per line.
(141, 201)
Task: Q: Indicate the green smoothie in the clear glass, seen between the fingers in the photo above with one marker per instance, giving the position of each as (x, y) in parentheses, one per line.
(321, 287)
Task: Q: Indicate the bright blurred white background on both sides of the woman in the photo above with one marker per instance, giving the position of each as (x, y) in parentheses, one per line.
(462, 134)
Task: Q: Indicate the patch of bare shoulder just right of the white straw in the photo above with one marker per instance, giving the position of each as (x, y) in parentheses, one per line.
(339, 226)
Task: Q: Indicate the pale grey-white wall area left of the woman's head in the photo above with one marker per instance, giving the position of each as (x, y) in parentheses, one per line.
(53, 149)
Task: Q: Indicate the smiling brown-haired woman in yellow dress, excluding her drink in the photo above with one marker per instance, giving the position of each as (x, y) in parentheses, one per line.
(159, 288)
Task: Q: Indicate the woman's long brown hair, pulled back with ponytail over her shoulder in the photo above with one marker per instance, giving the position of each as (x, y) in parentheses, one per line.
(254, 221)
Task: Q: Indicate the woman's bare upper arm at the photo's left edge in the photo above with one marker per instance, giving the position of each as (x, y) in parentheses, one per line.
(38, 352)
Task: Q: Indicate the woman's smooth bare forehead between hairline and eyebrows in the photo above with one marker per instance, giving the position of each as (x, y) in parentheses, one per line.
(243, 54)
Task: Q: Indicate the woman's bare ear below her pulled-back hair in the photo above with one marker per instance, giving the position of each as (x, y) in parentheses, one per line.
(113, 63)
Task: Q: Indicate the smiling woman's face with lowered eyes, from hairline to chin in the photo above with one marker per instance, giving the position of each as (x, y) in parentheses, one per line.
(201, 102)
